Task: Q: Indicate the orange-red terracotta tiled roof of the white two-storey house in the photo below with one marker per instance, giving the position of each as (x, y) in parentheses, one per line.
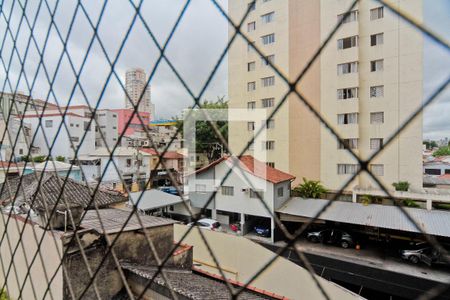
(255, 167)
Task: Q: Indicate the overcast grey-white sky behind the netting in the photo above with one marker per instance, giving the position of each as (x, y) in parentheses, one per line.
(194, 49)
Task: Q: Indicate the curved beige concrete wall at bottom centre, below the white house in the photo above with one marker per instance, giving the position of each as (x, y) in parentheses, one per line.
(241, 259)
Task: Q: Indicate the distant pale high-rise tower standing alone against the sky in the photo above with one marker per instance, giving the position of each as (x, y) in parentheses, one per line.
(135, 82)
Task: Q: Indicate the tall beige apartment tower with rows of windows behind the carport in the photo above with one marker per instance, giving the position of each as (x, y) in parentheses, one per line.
(365, 83)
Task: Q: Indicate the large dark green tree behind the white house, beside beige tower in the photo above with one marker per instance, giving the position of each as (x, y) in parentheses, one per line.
(206, 139)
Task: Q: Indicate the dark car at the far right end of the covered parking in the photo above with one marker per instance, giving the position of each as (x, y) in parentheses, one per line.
(425, 254)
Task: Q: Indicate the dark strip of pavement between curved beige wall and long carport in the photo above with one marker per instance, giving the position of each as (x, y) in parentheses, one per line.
(377, 283)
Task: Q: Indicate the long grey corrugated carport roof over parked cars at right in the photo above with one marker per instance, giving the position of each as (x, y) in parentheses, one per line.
(434, 222)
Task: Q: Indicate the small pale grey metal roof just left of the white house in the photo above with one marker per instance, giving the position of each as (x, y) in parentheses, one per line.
(152, 199)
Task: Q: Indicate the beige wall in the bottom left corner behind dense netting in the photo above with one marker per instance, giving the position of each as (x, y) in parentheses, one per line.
(46, 264)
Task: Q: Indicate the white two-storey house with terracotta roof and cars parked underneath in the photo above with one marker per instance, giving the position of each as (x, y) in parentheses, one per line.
(249, 195)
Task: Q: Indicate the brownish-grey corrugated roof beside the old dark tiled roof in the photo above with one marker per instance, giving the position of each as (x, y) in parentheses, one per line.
(113, 220)
